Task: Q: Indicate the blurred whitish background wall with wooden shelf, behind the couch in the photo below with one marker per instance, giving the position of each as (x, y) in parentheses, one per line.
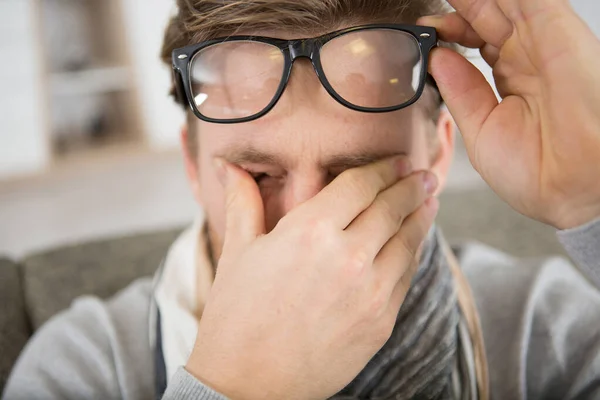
(88, 135)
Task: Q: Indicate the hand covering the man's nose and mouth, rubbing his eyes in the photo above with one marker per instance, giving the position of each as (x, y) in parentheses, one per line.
(298, 312)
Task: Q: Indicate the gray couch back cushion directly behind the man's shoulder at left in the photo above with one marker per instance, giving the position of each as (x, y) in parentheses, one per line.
(53, 279)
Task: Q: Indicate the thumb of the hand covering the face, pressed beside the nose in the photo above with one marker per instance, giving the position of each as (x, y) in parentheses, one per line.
(244, 211)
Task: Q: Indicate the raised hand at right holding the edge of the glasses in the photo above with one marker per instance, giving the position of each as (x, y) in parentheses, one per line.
(539, 149)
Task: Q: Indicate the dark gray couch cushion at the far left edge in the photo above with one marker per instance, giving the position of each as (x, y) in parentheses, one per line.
(14, 327)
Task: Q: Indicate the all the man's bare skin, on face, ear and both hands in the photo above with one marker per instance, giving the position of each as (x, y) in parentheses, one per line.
(330, 264)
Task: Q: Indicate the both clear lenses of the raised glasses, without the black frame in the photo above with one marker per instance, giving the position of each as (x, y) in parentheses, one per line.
(376, 68)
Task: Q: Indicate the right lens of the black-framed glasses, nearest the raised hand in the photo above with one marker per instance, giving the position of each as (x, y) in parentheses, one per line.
(376, 68)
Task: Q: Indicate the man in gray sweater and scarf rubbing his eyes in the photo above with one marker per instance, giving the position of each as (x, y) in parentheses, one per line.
(319, 198)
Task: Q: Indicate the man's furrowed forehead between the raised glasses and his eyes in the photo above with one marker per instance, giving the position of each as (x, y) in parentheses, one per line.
(317, 137)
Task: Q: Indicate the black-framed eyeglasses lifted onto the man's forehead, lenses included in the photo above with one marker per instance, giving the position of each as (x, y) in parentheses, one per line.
(371, 68)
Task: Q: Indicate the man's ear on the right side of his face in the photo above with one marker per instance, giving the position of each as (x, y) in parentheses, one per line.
(445, 136)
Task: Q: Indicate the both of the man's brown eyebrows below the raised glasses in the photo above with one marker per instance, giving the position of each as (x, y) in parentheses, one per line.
(250, 155)
